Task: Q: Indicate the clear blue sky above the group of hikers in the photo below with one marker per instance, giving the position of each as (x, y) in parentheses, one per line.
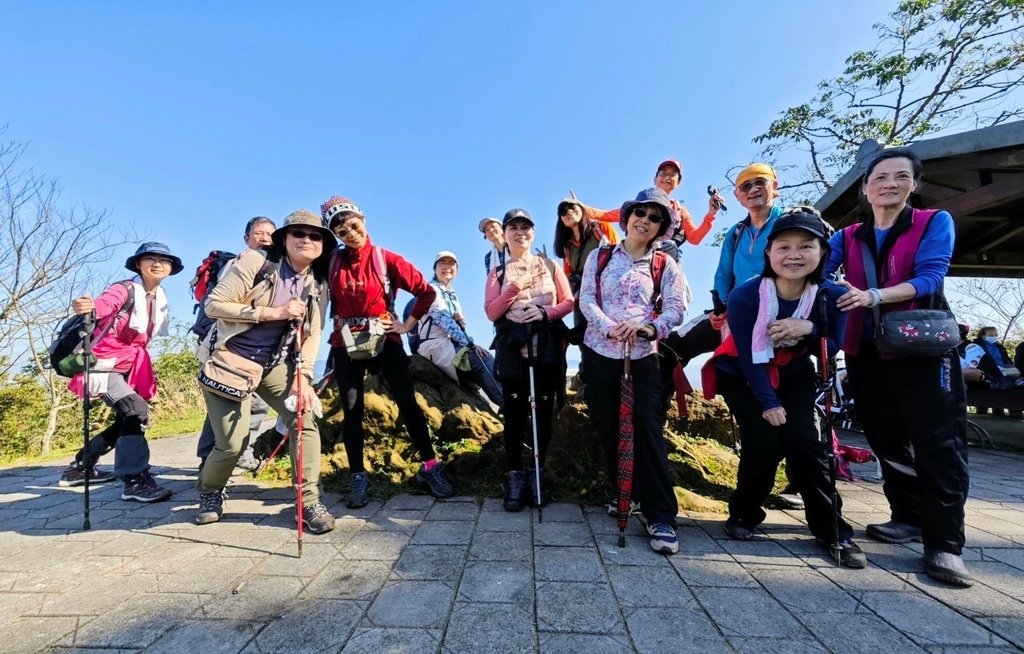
(186, 119)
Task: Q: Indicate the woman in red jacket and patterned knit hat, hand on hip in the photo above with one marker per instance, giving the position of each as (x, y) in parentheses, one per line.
(364, 280)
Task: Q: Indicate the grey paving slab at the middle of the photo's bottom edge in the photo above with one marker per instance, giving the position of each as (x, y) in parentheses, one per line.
(490, 629)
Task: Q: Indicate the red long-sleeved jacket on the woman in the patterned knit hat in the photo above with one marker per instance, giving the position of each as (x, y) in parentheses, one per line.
(357, 290)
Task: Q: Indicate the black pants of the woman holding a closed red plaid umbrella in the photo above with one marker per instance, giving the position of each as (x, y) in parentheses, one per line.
(653, 482)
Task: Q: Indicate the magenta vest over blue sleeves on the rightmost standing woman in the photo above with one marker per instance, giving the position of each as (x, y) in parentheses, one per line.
(898, 268)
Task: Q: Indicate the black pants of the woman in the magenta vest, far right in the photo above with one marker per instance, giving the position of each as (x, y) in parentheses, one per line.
(914, 403)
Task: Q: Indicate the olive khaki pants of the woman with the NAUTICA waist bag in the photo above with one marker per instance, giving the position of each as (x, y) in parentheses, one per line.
(230, 421)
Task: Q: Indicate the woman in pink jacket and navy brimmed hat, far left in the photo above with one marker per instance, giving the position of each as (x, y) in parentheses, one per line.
(123, 376)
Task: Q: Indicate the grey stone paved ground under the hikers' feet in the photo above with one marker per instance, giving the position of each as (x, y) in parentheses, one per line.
(417, 576)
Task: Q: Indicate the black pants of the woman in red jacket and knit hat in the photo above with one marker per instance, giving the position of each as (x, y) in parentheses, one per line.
(393, 364)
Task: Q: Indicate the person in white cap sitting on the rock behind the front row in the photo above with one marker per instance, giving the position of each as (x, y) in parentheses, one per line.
(444, 340)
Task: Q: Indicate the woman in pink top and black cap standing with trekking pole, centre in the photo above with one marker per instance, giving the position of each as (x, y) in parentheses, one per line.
(527, 302)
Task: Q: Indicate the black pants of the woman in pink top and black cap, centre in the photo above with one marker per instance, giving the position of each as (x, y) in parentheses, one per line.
(519, 415)
